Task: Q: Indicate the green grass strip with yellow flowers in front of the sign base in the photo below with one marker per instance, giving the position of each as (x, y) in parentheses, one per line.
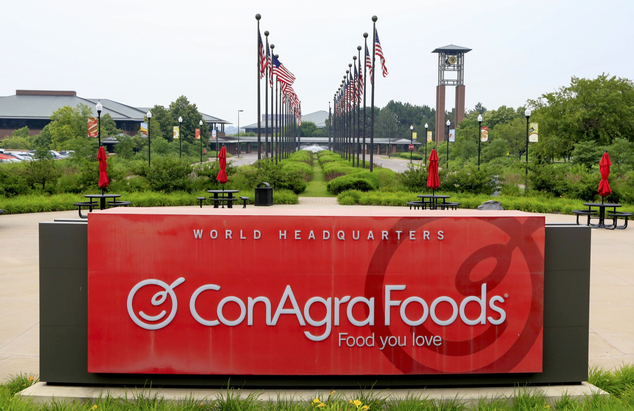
(618, 383)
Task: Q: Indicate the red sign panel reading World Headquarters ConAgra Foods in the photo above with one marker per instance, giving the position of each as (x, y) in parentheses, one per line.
(240, 293)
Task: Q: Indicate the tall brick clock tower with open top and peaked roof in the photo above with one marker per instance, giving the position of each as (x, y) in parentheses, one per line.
(450, 73)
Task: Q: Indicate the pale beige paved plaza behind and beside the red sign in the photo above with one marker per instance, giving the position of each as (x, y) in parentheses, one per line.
(612, 291)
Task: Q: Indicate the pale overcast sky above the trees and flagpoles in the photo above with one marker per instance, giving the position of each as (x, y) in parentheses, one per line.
(143, 53)
